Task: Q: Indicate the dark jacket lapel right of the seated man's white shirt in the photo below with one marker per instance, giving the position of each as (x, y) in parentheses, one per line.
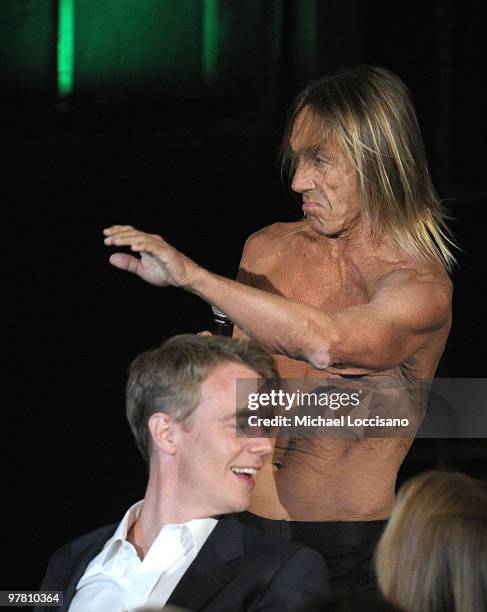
(210, 571)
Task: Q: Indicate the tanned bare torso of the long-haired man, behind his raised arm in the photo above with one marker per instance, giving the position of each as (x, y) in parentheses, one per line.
(331, 478)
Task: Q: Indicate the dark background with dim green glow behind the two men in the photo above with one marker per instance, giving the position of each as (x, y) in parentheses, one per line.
(172, 125)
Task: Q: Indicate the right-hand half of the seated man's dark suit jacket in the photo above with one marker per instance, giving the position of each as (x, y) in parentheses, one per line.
(241, 568)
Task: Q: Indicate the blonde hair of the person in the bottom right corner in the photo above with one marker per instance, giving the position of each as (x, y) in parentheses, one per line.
(432, 556)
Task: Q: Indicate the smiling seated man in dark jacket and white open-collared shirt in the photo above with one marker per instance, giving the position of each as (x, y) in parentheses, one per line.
(181, 545)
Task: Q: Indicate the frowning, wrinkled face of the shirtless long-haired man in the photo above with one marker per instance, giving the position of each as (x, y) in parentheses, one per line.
(326, 178)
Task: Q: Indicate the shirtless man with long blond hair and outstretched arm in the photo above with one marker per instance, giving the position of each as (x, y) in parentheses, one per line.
(360, 287)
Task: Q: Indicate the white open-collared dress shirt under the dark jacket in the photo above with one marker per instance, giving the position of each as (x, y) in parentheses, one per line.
(116, 580)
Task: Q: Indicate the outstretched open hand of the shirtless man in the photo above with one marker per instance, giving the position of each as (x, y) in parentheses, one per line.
(160, 264)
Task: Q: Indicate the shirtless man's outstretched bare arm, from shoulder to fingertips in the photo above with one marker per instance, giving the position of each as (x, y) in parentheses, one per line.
(403, 312)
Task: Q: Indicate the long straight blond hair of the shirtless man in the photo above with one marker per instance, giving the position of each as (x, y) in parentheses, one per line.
(368, 111)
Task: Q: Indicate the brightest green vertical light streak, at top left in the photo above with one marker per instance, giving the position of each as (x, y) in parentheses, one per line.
(65, 48)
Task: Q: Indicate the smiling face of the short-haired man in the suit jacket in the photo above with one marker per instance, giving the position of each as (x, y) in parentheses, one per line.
(211, 458)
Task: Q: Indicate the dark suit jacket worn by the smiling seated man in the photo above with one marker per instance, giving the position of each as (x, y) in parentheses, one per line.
(238, 569)
